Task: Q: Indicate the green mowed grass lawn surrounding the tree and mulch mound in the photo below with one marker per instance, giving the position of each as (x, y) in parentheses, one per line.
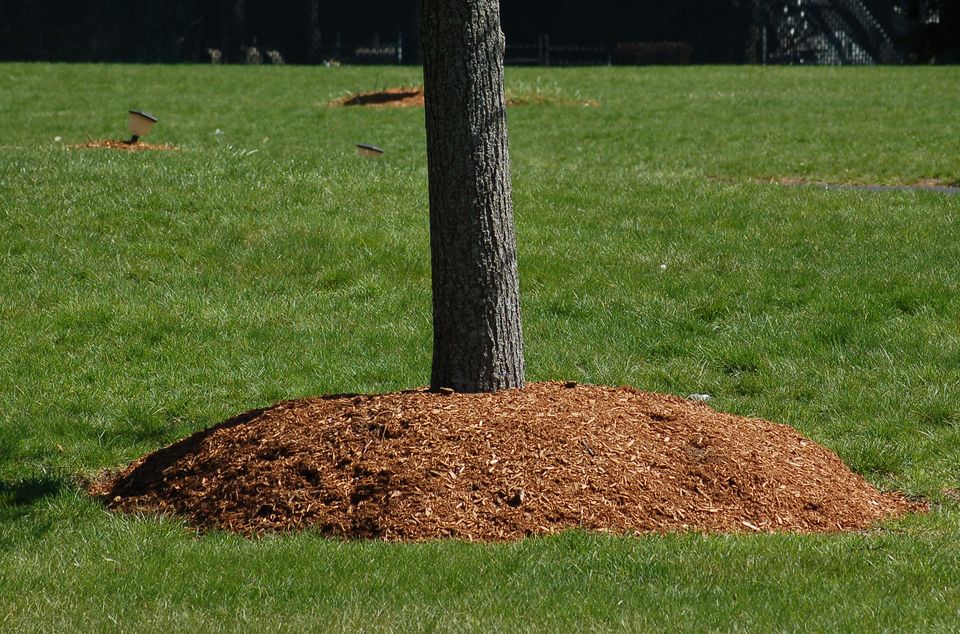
(144, 296)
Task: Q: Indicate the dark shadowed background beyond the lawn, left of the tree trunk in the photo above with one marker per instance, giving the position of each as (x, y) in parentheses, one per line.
(303, 31)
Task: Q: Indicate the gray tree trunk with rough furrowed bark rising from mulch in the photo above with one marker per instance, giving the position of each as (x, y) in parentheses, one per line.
(477, 340)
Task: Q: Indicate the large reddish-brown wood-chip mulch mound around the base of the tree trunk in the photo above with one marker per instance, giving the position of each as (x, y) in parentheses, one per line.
(417, 465)
